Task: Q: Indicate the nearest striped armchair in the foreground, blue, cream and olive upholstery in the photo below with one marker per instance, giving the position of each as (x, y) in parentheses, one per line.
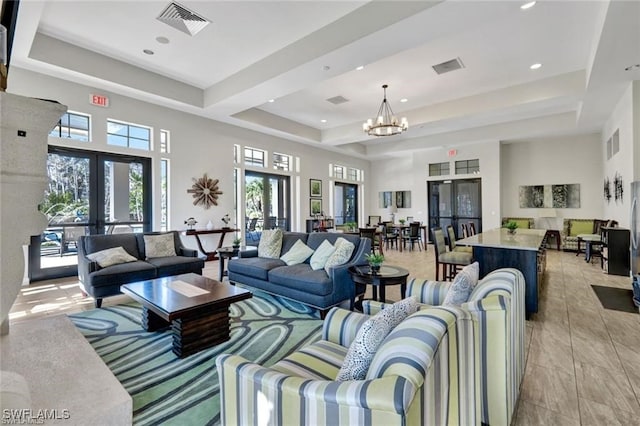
(423, 373)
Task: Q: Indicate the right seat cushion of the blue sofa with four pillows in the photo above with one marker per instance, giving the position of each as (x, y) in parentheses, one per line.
(302, 277)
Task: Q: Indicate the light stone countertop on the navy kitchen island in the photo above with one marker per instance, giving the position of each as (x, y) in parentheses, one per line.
(523, 239)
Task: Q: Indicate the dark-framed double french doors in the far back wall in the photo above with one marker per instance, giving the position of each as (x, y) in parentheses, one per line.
(454, 202)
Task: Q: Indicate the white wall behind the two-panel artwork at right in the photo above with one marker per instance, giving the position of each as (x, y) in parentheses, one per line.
(549, 161)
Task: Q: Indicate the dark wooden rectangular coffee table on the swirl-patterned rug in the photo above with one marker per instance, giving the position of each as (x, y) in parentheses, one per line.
(196, 308)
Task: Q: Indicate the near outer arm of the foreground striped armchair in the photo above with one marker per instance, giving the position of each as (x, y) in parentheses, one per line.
(252, 394)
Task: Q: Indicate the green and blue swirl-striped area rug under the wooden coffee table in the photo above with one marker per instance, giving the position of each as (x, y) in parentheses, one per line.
(169, 390)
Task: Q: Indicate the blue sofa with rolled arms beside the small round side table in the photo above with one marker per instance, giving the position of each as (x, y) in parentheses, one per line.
(299, 282)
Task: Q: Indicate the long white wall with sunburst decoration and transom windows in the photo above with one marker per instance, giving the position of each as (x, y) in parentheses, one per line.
(198, 145)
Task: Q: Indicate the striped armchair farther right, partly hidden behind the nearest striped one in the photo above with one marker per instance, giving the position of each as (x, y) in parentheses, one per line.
(498, 308)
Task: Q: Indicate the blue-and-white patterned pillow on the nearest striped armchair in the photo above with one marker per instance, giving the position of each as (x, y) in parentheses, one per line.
(360, 354)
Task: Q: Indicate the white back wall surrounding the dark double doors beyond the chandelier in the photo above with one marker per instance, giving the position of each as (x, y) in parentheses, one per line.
(410, 172)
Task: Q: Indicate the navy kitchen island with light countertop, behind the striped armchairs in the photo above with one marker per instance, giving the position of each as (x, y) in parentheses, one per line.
(524, 250)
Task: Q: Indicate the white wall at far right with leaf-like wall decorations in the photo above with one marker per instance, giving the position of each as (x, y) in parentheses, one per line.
(621, 163)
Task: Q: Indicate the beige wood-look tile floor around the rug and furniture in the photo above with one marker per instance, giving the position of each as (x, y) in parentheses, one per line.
(583, 361)
